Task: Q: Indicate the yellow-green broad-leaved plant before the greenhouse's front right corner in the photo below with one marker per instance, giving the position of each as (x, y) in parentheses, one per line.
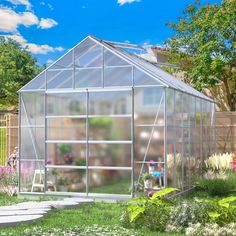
(141, 211)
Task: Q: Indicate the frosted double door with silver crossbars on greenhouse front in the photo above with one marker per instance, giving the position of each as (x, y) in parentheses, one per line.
(89, 142)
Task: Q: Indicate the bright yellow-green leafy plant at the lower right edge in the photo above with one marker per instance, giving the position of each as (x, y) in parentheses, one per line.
(222, 211)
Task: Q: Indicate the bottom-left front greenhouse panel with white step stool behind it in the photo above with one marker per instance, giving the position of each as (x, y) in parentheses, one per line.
(32, 176)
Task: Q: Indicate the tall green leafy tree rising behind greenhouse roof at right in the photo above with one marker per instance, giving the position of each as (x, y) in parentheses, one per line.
(204, 47)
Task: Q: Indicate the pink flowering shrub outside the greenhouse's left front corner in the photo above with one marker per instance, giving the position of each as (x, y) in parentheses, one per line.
(8, 174)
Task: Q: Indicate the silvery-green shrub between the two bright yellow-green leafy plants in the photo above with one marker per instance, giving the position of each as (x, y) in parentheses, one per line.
(189, 212)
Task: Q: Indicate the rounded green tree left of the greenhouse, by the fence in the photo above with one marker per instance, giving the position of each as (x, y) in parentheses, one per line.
(17, 67)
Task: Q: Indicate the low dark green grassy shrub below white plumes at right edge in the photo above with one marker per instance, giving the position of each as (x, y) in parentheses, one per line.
(218, 187)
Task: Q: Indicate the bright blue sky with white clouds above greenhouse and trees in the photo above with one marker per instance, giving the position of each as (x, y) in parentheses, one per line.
(50, 27)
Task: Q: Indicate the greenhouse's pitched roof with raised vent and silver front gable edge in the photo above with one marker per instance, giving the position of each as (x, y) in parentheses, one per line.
(163, 77)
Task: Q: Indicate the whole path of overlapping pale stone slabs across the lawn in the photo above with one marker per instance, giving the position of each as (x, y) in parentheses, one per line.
(29, 212)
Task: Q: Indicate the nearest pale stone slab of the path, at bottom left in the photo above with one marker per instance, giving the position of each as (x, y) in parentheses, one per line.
(15, 220)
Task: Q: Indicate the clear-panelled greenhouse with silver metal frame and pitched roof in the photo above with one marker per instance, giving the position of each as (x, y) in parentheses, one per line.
(101, 117)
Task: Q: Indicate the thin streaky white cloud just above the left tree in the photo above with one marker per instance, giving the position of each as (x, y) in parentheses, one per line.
(32, 47)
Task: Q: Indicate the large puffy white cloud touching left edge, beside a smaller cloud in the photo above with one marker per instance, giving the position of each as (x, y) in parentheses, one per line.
(10, 20)
